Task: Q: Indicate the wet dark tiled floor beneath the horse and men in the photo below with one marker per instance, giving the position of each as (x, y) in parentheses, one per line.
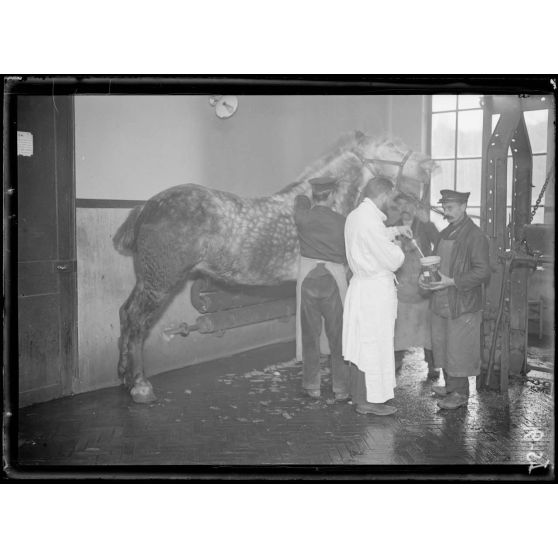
(249, 410)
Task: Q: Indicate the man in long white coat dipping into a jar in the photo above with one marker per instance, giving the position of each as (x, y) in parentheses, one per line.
(371, 301)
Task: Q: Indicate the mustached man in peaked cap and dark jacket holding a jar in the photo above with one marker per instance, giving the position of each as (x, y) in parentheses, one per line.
(457, 300)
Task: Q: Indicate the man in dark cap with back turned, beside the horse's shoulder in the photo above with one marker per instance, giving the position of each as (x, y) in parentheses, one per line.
(322, 283)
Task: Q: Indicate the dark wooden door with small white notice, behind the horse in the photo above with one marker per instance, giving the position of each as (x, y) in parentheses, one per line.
(47, 324)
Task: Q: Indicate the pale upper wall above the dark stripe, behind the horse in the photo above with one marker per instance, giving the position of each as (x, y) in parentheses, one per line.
(131, 147)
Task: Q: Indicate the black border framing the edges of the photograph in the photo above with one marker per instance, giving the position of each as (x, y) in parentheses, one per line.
(240, 85)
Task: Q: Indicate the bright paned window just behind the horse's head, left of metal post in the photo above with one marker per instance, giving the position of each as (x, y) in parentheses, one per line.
(457, 148)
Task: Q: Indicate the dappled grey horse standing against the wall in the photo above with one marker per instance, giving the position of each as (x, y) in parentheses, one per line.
(190, 229)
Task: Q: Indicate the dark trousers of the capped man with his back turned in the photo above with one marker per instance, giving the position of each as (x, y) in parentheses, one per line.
(320, 298)
